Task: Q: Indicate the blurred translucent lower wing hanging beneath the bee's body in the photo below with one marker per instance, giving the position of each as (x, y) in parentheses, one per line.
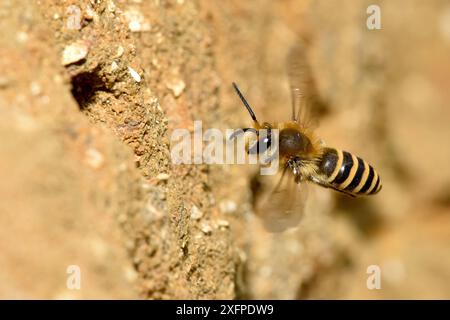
(280, 207)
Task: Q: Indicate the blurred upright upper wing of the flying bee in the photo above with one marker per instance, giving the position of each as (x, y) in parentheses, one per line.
(301, 83)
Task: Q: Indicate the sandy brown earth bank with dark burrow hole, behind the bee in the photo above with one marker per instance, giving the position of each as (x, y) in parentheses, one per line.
(86, 176)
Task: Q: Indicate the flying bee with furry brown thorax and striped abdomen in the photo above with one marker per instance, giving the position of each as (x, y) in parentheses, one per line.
(302, 153)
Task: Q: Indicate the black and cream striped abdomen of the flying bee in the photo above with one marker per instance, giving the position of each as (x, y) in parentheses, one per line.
(346, 172)
